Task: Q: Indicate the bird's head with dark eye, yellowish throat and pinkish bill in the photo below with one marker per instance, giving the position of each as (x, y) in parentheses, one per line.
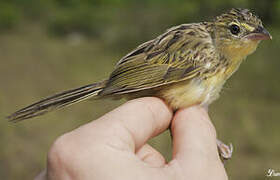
(238, 32)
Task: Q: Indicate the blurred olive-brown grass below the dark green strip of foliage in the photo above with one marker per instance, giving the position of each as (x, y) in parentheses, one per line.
(35, 65)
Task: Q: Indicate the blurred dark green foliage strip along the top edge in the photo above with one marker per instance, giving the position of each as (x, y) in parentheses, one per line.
(90, 16)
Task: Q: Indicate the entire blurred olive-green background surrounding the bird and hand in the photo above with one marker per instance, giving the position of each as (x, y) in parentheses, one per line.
(47, 46)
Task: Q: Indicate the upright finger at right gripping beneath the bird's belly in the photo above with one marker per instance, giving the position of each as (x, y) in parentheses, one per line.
(194, 137)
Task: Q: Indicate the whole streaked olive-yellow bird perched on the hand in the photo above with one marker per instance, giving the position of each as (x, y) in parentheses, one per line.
(186, 65)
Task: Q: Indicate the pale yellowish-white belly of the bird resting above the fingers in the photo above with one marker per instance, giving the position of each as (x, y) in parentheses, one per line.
(192, 92)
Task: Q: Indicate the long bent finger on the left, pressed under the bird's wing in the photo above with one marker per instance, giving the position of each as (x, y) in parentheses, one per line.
(131, 125)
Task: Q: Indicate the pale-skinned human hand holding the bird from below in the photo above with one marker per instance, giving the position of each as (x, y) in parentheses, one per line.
(114, 147)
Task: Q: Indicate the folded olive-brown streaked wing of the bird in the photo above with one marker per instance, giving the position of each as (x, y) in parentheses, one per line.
(177, 55)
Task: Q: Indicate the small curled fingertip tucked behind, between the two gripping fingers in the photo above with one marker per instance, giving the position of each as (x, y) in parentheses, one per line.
(151, 156)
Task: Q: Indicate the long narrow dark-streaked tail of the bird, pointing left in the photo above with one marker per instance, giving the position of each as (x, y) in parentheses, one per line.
(57, 101)
